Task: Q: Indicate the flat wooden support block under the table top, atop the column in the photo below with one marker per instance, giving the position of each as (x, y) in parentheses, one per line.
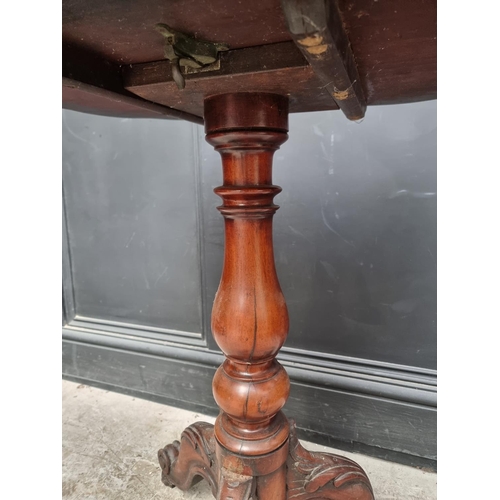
(278, 68)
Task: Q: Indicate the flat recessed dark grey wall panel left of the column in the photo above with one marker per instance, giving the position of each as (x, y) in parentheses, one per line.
(130, 196)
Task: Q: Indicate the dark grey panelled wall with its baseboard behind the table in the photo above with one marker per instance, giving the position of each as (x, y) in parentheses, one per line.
(355, 249)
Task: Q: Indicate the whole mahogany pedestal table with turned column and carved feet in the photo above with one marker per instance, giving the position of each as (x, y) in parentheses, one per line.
(241, 74)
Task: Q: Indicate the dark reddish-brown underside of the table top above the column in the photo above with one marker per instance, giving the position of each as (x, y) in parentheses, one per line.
(114, 64)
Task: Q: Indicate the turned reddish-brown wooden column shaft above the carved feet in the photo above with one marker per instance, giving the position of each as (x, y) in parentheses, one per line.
(249, 317)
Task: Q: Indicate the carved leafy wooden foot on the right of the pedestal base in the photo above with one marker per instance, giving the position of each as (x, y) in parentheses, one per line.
(313, 475)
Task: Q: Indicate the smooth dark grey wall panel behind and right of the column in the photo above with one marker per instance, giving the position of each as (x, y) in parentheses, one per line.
(355, 238)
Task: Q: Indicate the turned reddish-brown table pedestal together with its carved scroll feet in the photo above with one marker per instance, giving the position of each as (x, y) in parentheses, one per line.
(252, 451)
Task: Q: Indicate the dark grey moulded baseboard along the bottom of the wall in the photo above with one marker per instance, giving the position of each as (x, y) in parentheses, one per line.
(393, 419)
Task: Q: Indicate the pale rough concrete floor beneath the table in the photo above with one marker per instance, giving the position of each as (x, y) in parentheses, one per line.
(110, 443)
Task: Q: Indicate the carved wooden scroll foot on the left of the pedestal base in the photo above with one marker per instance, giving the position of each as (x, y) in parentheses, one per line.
(184, 464)
